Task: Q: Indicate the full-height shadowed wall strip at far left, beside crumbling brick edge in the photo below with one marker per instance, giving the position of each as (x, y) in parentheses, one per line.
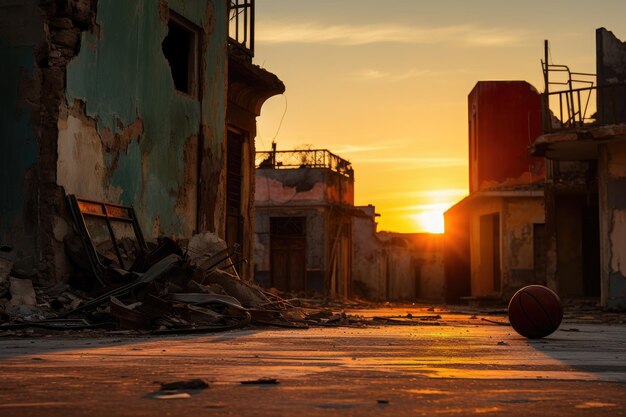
(21, 33)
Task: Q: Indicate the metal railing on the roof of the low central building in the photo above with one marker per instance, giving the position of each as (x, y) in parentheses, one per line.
(309, 158)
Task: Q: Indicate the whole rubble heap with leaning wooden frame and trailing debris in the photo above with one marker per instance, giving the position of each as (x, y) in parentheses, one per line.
(122, 282)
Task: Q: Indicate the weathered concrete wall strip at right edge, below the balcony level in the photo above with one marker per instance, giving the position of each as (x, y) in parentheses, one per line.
(612, 191)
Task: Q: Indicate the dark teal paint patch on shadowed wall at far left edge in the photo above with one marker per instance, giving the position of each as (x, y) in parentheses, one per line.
(18, 142)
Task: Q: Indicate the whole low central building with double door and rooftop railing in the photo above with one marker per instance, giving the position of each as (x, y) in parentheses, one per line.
(304, 214)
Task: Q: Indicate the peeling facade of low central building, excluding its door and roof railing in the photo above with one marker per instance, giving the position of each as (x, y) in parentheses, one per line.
(320, 196)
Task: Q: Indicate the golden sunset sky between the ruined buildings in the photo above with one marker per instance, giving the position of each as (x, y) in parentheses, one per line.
(385, 84)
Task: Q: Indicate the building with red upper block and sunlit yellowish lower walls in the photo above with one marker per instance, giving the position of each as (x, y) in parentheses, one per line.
(495, 237)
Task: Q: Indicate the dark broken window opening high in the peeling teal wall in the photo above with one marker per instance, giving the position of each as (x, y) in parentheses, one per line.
(180, 47)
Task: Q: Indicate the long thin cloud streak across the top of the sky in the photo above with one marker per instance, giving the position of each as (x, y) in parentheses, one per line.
(277, 32)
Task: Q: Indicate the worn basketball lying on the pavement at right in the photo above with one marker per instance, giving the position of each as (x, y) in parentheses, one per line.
(535, 311)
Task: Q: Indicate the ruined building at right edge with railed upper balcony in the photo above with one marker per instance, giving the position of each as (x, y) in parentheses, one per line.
(586, 177)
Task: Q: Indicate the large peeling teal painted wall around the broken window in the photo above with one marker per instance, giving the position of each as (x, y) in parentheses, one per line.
(122, 75)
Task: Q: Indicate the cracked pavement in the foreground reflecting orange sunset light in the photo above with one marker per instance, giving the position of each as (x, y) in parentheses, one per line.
(465, 366)
